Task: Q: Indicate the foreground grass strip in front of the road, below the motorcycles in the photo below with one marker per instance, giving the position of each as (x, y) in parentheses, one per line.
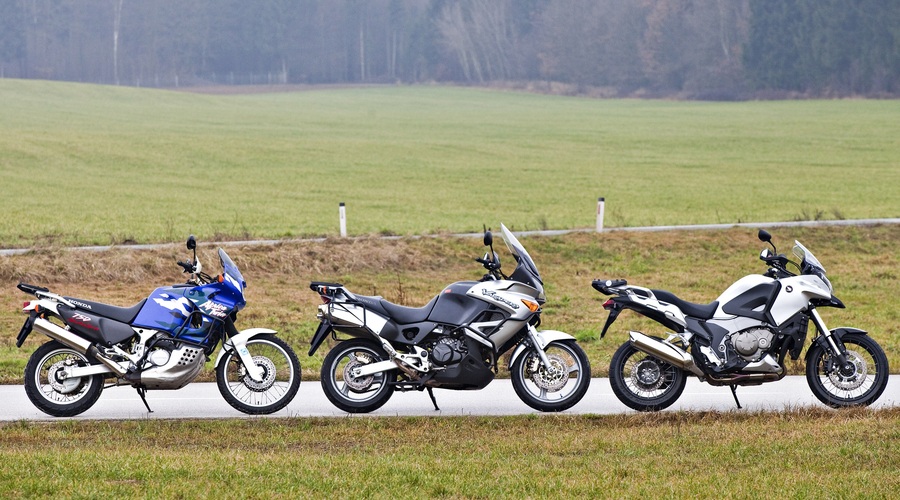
(797, 453)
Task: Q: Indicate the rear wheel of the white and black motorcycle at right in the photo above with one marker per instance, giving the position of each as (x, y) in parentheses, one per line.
(644, 382)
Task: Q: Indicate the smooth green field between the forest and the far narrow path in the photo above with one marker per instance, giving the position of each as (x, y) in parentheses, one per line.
(86, 164)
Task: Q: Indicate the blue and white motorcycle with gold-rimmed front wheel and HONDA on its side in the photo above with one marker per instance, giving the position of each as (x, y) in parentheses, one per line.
(160, 343)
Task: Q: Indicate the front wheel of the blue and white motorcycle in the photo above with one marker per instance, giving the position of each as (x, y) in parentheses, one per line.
(280, 377)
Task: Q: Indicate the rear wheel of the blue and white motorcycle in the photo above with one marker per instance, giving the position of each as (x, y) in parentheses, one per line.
(65, 398)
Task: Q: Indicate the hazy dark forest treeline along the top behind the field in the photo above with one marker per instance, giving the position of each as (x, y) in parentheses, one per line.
(720, 49)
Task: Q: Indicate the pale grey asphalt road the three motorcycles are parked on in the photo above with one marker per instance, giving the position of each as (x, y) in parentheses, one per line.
(204, 401)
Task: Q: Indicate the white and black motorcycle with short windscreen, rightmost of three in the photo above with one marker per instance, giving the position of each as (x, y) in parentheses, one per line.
(743, 338)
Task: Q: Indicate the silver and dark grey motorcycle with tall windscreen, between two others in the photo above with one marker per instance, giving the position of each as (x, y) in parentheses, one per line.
(453, 342)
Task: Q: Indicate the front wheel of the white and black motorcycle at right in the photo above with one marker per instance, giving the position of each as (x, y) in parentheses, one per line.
(861, 385)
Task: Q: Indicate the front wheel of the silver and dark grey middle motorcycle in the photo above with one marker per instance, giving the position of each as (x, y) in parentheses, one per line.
(556, 390)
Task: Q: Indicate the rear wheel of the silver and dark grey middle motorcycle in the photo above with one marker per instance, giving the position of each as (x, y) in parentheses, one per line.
(356, 394)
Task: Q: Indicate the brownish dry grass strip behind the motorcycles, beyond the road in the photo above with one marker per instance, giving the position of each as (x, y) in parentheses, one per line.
(697, 266)
